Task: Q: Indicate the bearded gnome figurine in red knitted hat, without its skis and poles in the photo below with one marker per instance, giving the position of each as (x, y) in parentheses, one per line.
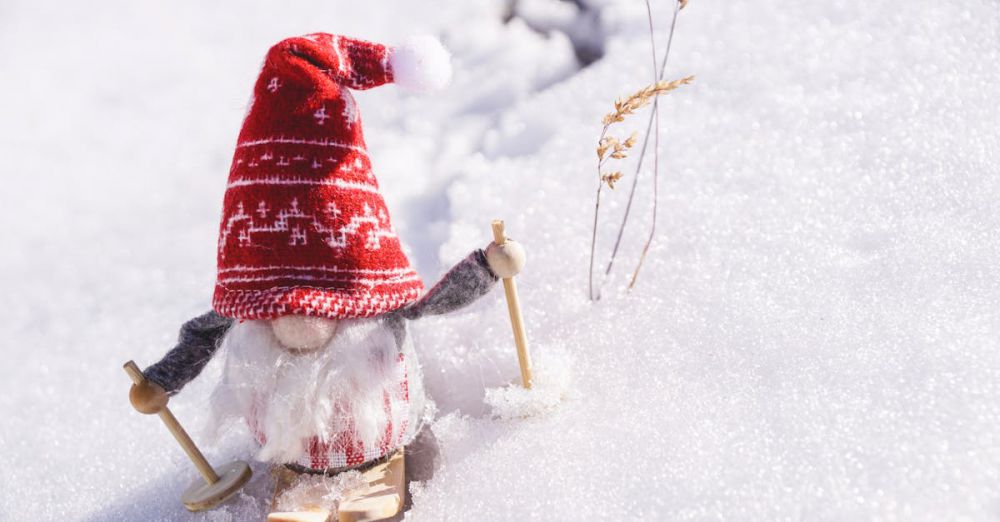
(314, 292)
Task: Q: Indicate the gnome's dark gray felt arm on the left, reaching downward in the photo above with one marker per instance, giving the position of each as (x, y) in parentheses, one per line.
(196, 344)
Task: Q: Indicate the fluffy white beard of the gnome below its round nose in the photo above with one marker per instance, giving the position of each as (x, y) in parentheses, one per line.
(290, 397)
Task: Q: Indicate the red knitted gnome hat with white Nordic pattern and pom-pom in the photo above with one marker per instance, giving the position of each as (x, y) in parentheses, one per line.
(304, 228)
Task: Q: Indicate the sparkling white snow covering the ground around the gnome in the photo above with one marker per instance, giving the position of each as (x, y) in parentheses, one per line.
(814, 335)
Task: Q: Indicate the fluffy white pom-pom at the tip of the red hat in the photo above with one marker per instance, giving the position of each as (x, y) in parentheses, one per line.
(421, 64)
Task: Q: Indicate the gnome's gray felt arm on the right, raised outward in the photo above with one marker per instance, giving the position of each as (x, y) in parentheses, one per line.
(467, 281)
